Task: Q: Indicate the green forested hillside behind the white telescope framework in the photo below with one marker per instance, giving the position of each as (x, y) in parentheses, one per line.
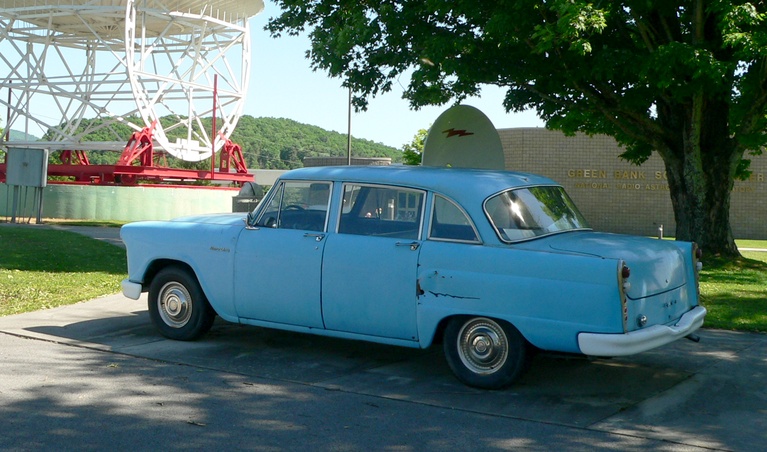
(267, 143)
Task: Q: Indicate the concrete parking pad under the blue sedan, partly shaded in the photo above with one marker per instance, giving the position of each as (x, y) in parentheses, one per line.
(707, 394)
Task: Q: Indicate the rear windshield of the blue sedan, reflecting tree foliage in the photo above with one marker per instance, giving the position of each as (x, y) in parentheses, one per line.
(532, 212)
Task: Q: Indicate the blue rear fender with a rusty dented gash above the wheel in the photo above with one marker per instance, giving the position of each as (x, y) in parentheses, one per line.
(548, 297)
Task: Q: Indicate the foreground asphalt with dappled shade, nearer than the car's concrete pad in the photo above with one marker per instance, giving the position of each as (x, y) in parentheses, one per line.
(63, 397)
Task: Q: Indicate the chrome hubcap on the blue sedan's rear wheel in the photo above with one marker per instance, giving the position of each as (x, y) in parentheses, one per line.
(482, 346)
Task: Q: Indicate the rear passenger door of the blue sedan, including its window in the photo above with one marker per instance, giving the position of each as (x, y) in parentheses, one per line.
(370, 265)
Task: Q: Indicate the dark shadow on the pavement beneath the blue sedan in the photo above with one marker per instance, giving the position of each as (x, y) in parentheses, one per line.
(558, 389)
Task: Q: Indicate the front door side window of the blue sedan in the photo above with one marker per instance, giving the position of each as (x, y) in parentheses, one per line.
(298, 205)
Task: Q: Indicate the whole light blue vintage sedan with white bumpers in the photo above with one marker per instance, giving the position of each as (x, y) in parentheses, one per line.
(491, 264)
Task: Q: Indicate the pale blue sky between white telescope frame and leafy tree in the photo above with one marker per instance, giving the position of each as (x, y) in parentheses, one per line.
(284, 86)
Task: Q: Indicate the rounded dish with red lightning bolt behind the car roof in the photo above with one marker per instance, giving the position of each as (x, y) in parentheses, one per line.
(462, 136)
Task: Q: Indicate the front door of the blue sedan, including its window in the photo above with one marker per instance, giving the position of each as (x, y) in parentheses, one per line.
(279, 262)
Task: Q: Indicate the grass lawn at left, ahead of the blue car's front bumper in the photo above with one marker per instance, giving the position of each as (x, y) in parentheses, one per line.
(43, 268)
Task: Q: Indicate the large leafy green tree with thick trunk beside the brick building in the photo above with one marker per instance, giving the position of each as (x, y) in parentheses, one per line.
(684, 78)
